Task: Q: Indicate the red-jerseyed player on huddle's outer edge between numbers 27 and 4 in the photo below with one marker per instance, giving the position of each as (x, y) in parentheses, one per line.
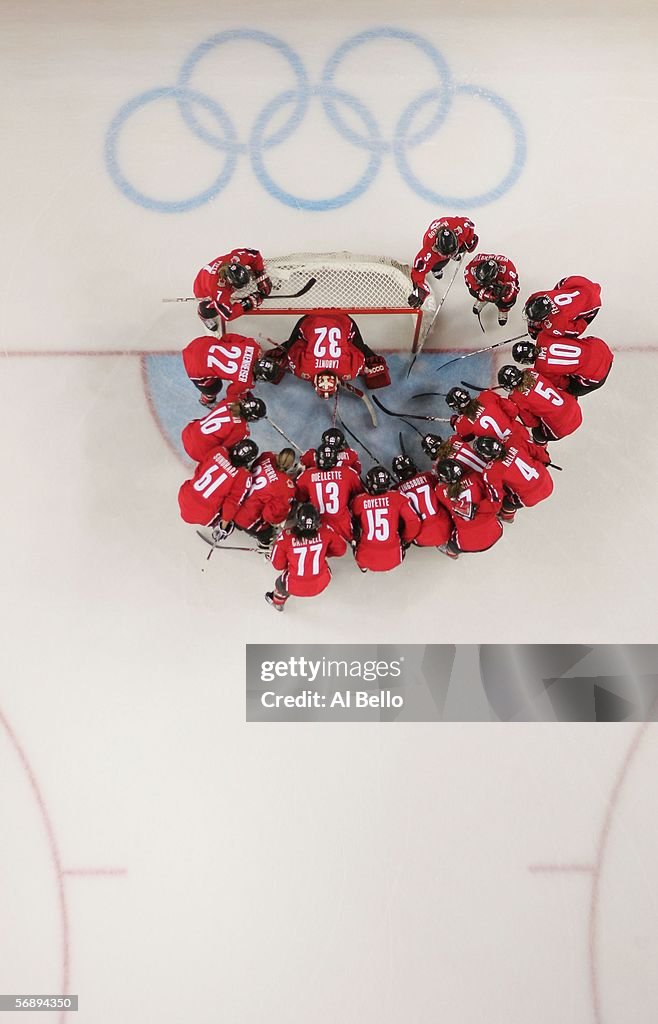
(471, 507)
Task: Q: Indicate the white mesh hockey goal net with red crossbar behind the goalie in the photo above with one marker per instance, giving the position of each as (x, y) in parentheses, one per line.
(373, 289)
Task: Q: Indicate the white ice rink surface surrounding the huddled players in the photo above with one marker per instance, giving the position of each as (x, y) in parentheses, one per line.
(160, 858)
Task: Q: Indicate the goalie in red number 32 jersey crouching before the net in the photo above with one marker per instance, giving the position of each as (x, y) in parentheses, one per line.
(327, 349)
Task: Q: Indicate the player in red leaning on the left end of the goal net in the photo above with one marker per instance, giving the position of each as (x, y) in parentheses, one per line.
(216, 282)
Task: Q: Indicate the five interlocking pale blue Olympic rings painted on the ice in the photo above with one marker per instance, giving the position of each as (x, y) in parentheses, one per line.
(336, 103)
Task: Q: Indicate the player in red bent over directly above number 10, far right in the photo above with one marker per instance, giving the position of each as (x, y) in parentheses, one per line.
(565, 310)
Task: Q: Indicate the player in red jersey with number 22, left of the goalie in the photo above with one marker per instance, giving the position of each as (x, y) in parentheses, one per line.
(237, 360)
